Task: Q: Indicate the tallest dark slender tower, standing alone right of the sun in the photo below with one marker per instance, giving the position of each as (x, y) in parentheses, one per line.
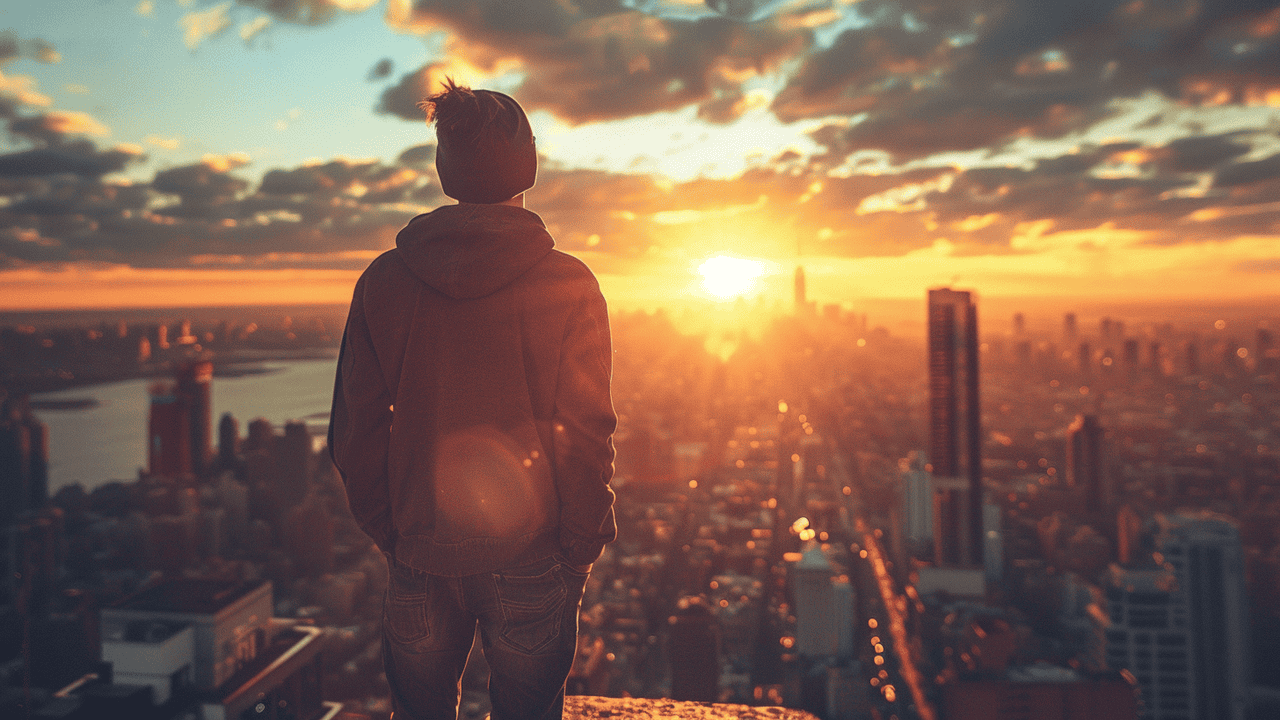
(956, 427)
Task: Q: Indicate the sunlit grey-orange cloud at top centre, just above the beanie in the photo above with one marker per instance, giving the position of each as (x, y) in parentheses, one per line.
(600, 61)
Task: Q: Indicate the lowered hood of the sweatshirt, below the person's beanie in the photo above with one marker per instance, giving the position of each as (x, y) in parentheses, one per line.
(469, 252)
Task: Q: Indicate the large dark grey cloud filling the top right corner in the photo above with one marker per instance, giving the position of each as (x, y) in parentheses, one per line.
(934, 78)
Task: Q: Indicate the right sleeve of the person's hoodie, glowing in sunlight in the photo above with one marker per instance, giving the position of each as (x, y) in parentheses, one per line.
(584, 423)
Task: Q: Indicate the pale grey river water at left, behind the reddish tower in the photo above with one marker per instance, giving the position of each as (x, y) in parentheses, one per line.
(108, 443)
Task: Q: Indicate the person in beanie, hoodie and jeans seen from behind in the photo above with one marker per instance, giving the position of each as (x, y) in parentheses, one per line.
(473, 426)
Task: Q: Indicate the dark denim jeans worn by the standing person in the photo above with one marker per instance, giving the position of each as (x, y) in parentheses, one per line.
(528, 621)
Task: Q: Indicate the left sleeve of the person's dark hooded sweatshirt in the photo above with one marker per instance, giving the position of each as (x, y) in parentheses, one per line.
(360, 427)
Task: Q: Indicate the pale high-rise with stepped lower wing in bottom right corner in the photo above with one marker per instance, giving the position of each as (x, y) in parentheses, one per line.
(1183, 630)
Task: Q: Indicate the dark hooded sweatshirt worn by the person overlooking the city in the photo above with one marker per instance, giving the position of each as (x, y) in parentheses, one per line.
(472, 417)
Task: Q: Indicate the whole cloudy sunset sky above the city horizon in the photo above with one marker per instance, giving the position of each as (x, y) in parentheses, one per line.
(166, 153)
